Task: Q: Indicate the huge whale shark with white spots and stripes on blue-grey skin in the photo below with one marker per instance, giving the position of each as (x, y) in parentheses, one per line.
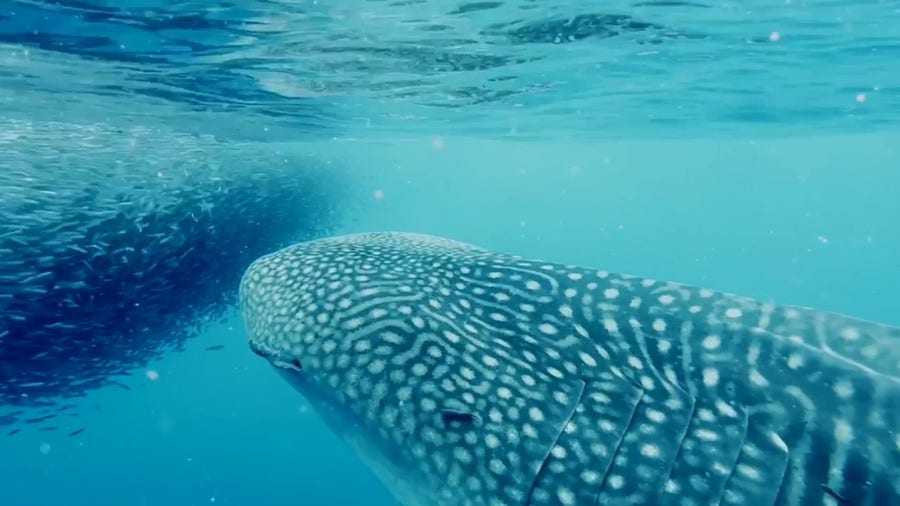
(470, 377)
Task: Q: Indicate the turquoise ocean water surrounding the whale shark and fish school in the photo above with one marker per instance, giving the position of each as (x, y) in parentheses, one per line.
(749, 147)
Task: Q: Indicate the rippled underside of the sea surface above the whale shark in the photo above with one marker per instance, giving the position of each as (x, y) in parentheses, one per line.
(588, 69)
